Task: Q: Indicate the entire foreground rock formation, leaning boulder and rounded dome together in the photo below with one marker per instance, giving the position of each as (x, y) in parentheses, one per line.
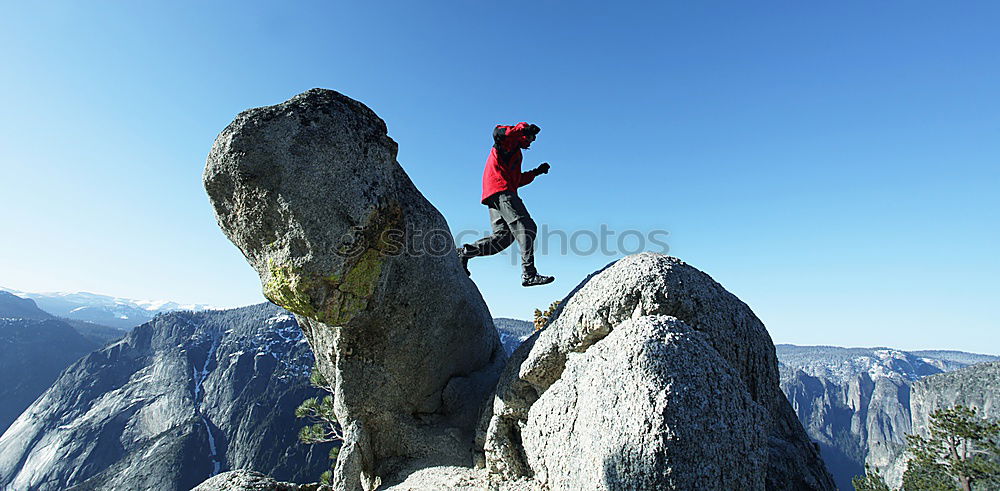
(650, 376)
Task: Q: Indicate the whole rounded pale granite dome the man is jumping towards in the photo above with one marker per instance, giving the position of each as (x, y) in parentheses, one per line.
(645, 358)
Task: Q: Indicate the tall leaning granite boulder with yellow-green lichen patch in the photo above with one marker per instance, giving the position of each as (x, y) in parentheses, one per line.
(311, 193)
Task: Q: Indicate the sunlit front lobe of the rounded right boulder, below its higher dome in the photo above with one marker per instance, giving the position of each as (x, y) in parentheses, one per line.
(650, 406)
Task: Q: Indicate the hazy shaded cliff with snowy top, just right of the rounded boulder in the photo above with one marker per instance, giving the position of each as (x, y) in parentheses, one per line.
(856, 402)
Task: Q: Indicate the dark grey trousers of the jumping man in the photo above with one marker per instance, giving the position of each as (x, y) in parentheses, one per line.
(510, 220)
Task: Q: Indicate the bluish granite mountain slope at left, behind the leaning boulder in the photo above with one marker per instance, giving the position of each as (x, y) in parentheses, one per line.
(181, 398)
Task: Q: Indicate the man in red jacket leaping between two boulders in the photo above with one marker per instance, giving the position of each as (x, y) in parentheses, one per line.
(508, 216)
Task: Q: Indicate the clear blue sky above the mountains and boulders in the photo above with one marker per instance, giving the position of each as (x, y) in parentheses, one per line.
(834, 164)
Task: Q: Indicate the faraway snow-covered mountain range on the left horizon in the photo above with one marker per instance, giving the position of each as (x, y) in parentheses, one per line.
(122, 313)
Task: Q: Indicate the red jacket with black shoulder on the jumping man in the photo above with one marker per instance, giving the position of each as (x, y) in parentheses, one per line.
(503, 166)
